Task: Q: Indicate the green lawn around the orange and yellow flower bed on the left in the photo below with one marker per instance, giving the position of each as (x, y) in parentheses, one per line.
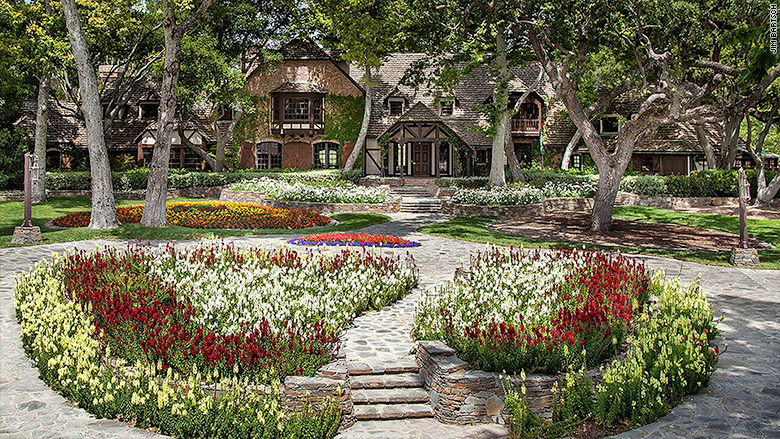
(12, 213)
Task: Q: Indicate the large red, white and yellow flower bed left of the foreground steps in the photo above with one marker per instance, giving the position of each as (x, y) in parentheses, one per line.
(145, 335)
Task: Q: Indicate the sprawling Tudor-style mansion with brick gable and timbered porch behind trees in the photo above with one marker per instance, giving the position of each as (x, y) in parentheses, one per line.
(310, 106)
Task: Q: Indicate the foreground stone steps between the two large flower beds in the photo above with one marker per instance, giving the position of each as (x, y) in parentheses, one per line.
(381, 394)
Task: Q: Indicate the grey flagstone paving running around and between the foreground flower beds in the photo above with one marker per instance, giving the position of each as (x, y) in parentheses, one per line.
(742, 400)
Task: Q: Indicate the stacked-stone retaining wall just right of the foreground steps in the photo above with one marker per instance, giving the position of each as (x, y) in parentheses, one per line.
(461, 395)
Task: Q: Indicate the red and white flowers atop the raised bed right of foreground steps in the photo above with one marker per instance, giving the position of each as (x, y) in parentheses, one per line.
(536, 311)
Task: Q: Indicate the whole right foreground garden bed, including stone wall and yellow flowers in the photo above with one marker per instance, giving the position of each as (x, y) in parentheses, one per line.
(556, 316)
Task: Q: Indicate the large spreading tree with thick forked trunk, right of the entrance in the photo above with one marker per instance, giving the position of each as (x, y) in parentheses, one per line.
(596, 51)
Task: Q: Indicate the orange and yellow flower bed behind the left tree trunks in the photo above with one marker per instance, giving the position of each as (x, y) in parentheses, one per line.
(213, 215)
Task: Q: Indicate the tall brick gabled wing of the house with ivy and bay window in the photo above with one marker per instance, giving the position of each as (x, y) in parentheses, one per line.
(295, 101)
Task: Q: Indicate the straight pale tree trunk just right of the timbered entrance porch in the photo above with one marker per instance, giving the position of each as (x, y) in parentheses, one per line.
(500, 104)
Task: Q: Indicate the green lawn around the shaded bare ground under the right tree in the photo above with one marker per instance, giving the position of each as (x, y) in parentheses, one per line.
(473, 228)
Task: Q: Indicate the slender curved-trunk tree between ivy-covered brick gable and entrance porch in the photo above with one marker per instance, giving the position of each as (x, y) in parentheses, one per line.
(367, 31)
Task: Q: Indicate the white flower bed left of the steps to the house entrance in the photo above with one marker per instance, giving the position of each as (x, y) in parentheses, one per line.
(297, 191)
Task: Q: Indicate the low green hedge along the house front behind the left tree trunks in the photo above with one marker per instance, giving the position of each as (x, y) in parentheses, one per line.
(137, 179)
